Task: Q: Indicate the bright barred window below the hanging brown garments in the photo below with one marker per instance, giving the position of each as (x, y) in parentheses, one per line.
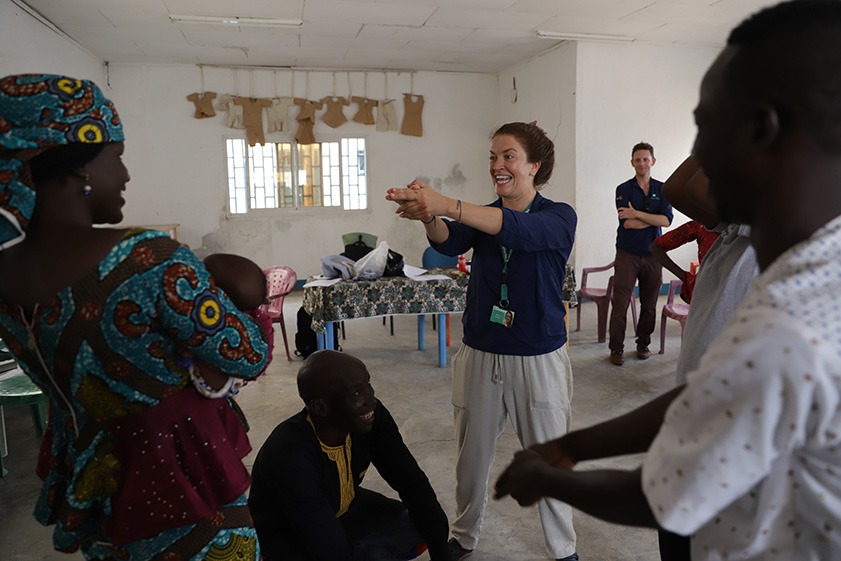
(296, 176)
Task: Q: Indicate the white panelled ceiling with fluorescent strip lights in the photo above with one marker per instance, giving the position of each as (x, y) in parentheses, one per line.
(439, 35)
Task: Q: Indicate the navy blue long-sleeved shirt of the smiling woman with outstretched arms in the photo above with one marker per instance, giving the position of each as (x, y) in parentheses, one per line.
(541, 240)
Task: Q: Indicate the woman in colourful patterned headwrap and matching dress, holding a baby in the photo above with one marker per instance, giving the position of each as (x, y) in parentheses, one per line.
(136, 465)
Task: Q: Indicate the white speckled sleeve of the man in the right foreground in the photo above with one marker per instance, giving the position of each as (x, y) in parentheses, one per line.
(749, 405)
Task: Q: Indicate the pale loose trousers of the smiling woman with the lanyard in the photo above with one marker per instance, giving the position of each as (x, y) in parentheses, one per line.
(535, 393)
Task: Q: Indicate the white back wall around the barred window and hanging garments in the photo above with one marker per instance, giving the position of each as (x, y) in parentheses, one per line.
(179, 175)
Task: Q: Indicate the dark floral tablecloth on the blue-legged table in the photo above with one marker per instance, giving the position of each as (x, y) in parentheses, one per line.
(385, 296)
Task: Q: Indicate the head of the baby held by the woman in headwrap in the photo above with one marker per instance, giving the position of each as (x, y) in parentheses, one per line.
(240, 278)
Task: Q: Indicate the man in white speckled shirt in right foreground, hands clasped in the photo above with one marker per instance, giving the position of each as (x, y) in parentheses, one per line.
(746, 458)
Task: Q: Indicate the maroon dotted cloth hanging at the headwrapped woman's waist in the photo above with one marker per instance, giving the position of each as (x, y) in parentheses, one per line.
(180, 461)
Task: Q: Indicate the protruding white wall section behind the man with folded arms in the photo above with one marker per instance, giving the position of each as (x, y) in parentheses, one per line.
(596, 100)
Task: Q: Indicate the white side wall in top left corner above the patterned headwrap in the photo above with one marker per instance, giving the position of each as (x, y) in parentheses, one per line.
(28, 46)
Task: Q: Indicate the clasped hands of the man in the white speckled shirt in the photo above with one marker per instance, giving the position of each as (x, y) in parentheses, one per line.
(524, 479)
